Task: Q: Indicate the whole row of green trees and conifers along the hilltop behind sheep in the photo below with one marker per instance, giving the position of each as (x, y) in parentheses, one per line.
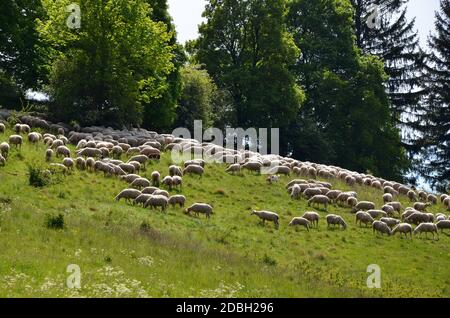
(341, 82)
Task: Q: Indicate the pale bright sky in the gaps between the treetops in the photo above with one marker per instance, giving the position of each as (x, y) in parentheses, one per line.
(187, 15)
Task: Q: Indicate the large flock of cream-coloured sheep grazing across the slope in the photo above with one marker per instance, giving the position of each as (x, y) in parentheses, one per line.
(100, 149)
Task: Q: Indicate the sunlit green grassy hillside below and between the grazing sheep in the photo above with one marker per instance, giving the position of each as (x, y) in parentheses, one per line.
(127, 251)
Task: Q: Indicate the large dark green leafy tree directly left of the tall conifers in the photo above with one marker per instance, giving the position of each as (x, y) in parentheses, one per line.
(346, 119)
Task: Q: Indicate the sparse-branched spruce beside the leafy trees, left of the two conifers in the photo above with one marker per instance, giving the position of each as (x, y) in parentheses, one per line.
(383, 30)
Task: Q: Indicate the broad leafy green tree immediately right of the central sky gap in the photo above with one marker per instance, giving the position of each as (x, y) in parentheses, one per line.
(247, 50)
